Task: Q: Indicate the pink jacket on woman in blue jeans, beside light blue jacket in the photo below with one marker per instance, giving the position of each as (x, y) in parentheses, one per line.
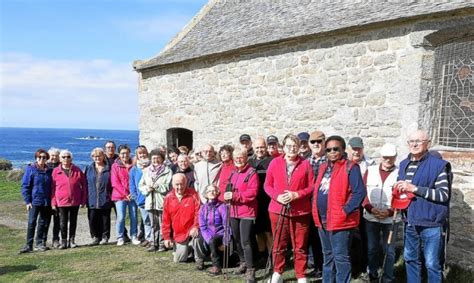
(120, 181)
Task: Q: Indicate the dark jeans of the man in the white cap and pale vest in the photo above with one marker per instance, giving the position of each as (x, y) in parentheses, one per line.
(374, 231)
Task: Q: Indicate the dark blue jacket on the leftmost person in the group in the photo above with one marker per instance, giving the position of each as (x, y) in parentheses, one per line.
(36, 186)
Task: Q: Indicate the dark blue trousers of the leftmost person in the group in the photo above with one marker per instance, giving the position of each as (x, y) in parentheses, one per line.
(44, 213)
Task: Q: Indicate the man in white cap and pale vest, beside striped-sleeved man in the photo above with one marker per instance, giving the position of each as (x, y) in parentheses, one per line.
(379, 180)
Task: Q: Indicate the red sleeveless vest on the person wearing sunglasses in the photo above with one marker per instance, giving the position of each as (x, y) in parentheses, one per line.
(339, 195)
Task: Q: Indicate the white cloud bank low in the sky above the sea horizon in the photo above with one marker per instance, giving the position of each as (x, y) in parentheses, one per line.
(41, 92)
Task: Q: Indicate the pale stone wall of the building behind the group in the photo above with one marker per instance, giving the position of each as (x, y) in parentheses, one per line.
(369, 83)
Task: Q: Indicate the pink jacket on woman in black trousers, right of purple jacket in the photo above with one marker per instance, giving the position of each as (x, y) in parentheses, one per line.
(245, 190)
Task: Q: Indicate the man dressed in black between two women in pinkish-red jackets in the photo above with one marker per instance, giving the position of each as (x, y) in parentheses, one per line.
(263, 228)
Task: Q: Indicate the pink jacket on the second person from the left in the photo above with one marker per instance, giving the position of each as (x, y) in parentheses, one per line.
(68, 191)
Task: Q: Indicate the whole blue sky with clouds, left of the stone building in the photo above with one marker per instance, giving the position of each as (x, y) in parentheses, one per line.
(68, 64)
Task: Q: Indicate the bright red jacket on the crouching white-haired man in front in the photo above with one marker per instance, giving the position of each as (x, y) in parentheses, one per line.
(179, 217)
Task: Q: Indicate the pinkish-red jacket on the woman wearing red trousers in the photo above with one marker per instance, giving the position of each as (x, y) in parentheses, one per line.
(301, 181)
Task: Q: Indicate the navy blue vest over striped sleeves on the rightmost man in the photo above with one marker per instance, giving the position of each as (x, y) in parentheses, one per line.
(421, 211)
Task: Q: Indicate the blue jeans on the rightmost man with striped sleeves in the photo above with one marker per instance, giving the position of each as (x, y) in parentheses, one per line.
(431, 239)
